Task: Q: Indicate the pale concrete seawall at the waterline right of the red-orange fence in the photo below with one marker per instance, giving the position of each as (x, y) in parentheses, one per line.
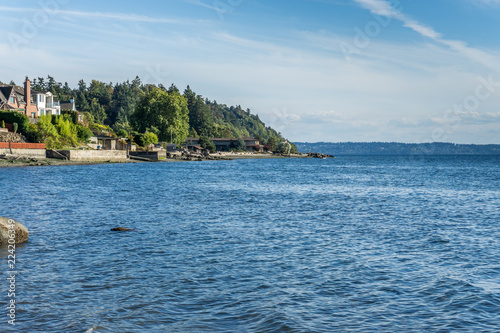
(90, 155)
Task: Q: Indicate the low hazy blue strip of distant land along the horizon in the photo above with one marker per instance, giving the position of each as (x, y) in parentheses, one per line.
(394, 148)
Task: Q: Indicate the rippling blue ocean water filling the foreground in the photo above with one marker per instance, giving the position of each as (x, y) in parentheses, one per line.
(357, 244)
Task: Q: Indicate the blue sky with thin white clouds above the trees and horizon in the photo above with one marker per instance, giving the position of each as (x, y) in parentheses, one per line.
(316, 70)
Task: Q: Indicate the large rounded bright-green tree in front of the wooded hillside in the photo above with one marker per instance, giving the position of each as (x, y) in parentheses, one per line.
(164, 111)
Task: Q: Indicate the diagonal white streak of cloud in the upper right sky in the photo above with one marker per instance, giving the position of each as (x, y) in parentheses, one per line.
(384, 8)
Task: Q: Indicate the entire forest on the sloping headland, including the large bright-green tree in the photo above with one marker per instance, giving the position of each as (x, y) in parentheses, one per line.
(132, 108)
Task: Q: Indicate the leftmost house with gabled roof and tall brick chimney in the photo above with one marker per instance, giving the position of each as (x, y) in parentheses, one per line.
(18, 99)
